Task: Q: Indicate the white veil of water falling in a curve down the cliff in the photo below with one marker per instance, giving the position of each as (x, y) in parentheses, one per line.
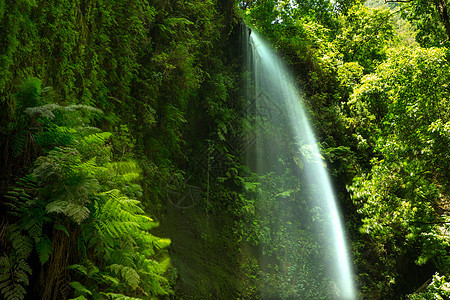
(281, 140)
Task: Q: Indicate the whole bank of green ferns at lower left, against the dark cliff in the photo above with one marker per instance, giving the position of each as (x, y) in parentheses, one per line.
(75, 213)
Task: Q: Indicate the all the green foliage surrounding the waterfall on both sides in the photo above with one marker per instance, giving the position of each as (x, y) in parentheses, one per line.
(117, 117)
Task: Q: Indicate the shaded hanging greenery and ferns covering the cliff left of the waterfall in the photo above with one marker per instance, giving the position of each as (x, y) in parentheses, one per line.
(95, 97)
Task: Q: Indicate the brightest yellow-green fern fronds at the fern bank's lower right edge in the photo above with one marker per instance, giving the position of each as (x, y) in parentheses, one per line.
(123, 231)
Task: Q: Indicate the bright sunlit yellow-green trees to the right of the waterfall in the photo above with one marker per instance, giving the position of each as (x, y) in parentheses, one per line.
(381, 104)
